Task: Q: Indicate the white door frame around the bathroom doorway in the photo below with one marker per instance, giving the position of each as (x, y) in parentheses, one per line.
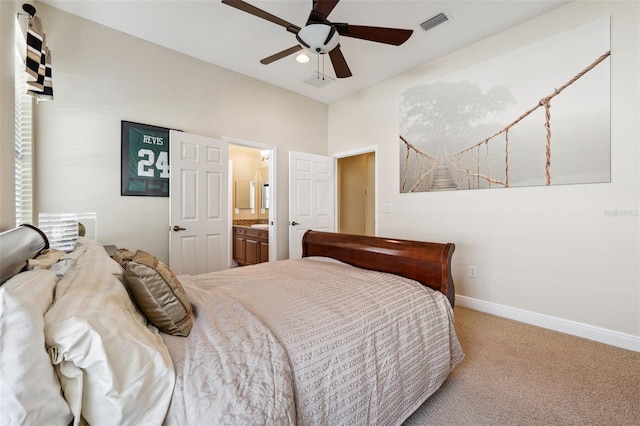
(273, 195)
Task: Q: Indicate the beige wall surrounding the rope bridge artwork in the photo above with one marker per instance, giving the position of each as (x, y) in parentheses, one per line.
(551, 251)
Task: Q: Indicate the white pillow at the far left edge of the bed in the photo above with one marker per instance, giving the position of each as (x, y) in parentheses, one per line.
(30, 392)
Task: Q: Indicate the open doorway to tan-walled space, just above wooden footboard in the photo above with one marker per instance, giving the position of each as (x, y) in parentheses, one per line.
(356, 194)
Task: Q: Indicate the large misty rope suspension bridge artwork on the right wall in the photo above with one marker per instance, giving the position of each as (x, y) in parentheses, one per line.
(536, 116)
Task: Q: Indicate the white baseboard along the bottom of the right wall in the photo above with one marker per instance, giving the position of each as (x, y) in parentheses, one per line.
(598, 334)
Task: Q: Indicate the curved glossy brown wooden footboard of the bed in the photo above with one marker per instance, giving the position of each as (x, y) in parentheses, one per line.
(427, 263)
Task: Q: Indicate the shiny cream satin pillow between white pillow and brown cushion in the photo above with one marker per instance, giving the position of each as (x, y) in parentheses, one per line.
(112, 367)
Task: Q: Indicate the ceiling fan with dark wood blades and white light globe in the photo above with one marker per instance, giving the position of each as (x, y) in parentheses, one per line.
(321, 36)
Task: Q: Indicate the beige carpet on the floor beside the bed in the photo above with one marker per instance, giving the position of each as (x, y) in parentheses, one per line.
(518, 374)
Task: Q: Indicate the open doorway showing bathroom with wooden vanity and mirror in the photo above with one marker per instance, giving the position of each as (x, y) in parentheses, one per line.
(251, 196)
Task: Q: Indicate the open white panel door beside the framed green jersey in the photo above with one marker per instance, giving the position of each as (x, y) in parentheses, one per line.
(199, 204)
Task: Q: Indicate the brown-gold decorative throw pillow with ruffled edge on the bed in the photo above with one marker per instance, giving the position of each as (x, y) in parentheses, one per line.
(159, 294)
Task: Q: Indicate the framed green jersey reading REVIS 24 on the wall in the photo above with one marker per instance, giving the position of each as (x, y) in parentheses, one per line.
(145, 160)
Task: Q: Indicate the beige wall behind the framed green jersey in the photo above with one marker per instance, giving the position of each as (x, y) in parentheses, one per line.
(101, 77)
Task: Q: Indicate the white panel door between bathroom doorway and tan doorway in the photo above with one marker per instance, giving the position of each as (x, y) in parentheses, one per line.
(311, 197)
